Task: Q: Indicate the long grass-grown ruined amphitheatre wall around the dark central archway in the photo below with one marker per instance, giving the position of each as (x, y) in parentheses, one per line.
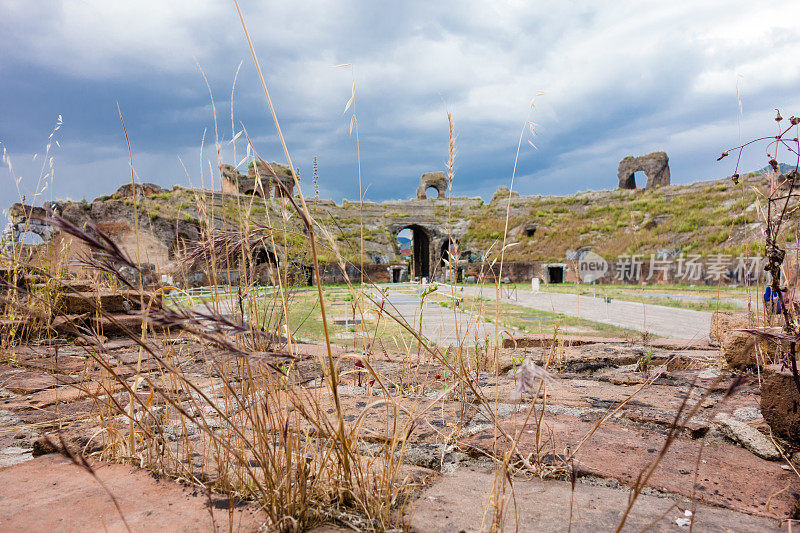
(544, 229)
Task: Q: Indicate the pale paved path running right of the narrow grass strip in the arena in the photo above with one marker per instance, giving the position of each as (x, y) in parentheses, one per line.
(657, 319)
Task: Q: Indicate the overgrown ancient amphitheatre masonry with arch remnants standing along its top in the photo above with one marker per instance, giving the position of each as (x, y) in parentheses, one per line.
(541, 230)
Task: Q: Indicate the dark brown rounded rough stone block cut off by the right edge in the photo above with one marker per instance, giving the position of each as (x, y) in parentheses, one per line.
(780, 402)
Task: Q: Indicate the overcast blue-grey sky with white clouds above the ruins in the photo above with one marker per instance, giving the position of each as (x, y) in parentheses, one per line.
(618, 78)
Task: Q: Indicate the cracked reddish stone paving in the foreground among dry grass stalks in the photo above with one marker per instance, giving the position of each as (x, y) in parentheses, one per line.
(635, 389)
